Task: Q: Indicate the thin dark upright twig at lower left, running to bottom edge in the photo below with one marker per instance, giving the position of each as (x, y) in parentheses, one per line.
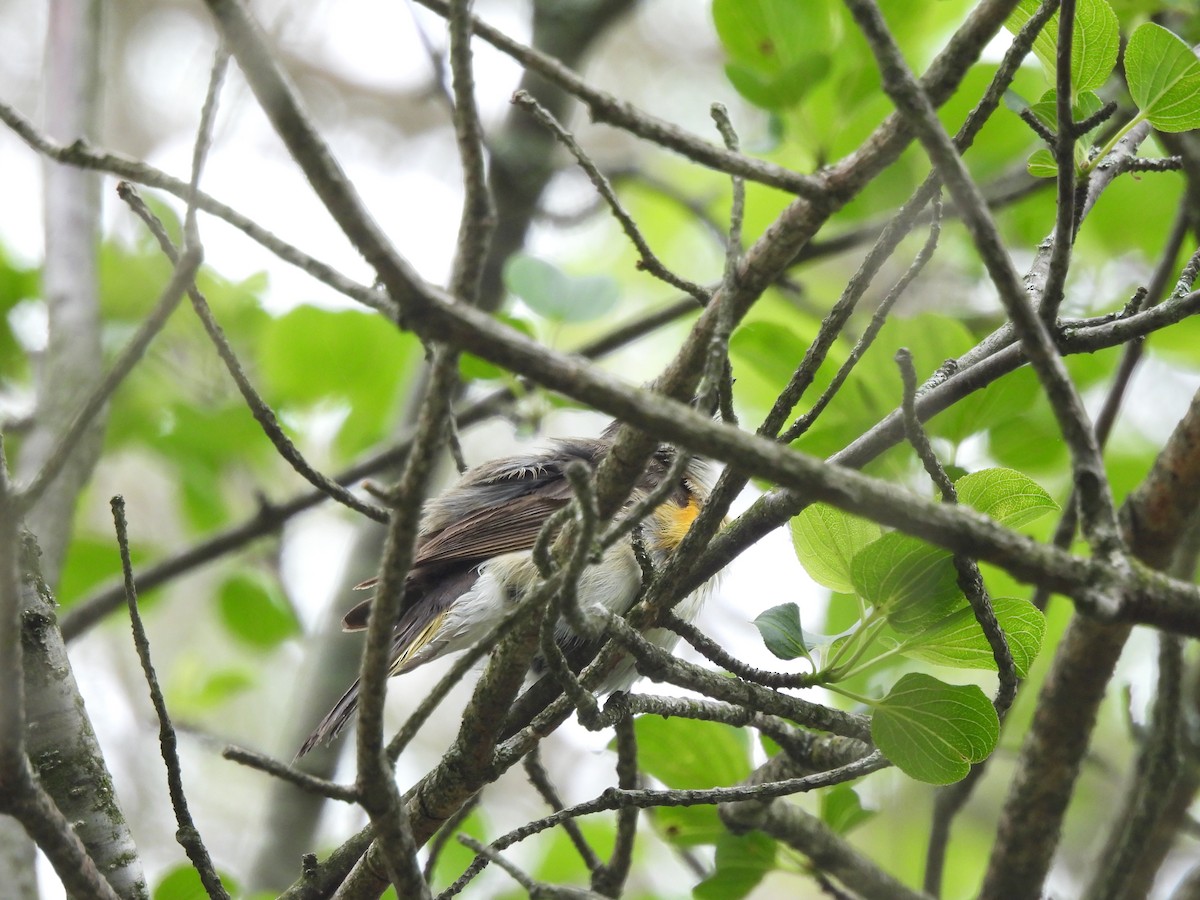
(188, 836)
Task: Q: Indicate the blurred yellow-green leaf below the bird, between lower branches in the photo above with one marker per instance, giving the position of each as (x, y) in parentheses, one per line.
(687, 754)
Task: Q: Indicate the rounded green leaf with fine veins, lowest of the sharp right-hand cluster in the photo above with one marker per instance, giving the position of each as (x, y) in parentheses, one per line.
(934, 731)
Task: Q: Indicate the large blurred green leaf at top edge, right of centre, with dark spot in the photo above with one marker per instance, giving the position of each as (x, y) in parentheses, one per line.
(778, 50)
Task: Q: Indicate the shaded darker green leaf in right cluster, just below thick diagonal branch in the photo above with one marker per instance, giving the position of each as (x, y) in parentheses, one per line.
(913, 583)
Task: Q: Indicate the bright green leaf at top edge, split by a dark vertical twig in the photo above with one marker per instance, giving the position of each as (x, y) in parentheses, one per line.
(1094, 44)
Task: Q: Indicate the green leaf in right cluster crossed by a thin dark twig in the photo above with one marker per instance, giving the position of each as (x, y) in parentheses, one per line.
(959, 641)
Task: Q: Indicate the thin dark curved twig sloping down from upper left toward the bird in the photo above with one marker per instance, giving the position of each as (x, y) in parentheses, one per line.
(262, 412)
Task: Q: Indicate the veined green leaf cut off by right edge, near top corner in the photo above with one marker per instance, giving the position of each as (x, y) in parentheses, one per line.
(1165, 79)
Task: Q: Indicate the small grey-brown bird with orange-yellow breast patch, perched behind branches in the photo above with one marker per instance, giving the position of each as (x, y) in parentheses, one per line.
(475, 559)
